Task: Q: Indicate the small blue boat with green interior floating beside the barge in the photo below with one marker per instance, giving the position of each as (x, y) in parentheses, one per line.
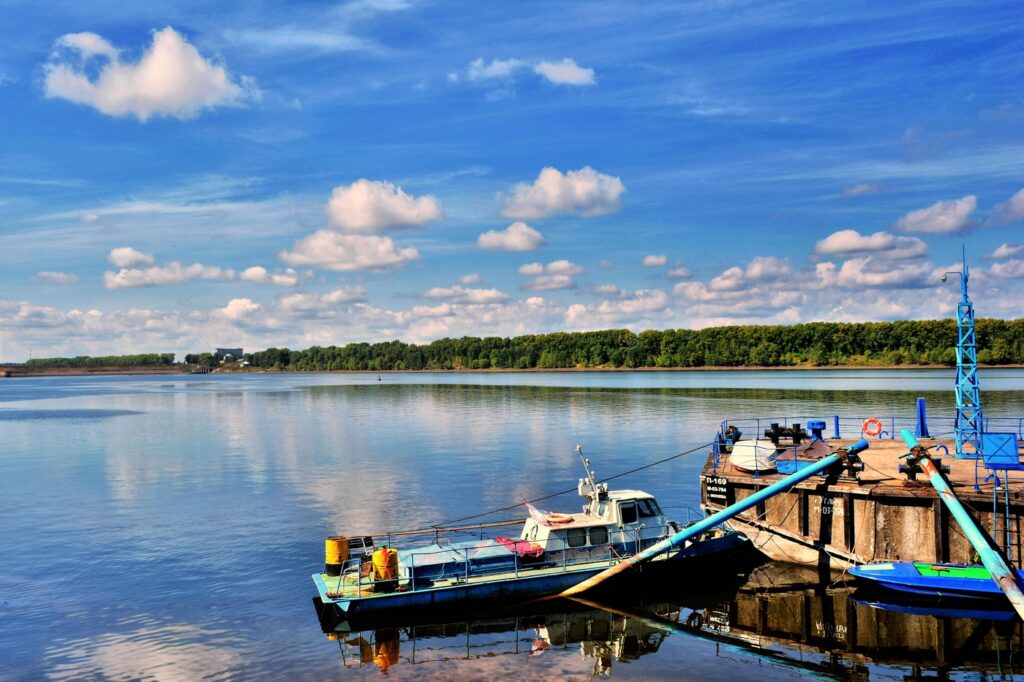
(955, 581)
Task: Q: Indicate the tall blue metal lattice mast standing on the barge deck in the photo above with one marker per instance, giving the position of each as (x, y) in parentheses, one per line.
(969, 425)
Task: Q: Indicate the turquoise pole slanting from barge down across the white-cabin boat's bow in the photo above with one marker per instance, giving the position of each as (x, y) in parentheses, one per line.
(713, 521)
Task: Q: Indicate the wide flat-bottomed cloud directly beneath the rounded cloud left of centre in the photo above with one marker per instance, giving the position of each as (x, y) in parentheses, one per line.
(349, 253)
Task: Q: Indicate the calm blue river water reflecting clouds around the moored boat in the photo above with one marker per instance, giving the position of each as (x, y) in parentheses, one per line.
(165, 528)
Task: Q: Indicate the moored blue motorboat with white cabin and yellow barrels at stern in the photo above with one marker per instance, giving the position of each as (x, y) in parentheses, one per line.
(372, 575)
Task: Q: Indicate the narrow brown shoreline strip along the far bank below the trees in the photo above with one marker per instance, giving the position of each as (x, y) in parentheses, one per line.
(17, 372)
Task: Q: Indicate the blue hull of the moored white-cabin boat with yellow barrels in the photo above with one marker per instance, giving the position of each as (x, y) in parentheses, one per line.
(708, 556)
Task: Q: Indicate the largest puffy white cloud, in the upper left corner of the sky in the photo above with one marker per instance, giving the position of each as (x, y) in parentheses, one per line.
(172, 79)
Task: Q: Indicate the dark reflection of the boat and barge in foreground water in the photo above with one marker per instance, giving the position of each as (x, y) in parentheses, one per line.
(784, 618)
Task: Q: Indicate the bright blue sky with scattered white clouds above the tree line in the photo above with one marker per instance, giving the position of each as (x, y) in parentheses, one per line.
(177, 178)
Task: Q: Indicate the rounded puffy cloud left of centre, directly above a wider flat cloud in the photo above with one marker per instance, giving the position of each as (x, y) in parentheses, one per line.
(369, 206)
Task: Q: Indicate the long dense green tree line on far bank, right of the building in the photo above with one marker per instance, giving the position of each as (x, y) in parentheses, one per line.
(820, 345)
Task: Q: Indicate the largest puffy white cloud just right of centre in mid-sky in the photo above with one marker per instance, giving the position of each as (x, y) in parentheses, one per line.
(585, 192)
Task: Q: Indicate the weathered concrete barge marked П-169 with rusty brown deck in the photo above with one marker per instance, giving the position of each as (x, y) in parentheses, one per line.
(880, 516)
